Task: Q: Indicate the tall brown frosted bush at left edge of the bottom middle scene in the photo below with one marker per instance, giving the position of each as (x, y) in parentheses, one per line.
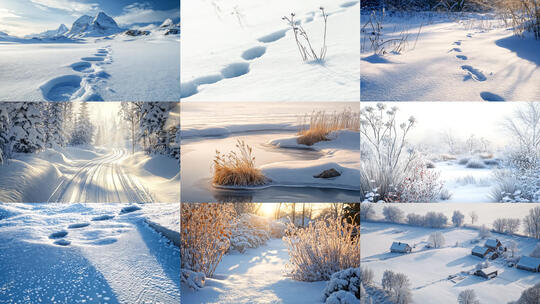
(205, 232)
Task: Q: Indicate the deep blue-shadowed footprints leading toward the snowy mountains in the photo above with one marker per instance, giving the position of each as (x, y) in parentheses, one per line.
(81, 86)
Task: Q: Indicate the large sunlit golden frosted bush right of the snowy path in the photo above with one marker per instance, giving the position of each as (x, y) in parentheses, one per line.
(321, 249)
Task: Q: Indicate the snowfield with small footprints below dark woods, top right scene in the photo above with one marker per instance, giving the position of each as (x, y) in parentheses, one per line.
(465, 57)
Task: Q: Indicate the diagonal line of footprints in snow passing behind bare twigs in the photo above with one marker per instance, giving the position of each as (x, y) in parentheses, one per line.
(238, 69)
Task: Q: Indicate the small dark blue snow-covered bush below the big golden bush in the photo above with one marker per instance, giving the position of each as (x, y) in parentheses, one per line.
(343, 287)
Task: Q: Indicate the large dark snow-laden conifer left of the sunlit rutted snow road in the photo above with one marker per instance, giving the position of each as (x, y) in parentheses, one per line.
(26, 134)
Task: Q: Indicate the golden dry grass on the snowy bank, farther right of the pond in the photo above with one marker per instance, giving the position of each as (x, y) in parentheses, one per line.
(320, 124)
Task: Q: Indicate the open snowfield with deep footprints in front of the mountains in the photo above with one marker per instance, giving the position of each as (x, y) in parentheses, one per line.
(111, 66)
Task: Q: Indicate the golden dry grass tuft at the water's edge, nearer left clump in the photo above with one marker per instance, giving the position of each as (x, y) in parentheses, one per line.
(237, 169)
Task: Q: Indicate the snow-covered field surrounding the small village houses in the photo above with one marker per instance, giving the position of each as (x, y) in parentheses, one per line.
(428, 269)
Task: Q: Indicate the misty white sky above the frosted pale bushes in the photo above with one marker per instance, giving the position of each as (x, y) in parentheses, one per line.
(483, 119)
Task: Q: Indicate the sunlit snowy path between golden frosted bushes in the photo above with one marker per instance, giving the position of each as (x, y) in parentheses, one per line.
(257, 276)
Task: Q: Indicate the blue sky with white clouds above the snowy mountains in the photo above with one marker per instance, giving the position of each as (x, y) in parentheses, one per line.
(22, 17)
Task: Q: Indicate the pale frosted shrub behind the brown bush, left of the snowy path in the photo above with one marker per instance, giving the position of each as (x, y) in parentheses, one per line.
(249, 231)
